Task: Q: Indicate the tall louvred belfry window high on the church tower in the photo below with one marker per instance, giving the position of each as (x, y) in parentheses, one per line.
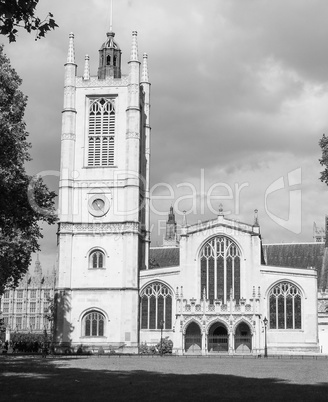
(101, 132)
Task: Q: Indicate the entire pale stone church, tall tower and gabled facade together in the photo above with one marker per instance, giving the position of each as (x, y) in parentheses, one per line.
(210, 290)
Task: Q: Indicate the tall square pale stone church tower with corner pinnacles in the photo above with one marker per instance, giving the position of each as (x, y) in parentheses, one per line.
(103, 235)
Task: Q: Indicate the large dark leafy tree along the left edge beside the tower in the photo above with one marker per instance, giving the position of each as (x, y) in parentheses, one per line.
(25, 201)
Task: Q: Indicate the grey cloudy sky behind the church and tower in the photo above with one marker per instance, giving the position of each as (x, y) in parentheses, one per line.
(239, 102)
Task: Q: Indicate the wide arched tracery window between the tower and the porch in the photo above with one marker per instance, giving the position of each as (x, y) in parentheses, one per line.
(156, 307)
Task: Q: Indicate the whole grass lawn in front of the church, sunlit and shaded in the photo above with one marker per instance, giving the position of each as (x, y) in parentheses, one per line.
(162, 379)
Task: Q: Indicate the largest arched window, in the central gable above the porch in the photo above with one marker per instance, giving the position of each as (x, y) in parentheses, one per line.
(220, 269)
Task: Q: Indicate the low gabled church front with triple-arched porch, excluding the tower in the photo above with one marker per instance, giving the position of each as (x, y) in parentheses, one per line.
(221, 295)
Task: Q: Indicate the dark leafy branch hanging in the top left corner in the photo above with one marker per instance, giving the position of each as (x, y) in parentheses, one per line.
(21, 14)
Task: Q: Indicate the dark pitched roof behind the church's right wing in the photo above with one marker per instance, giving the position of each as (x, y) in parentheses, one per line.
(300, 255)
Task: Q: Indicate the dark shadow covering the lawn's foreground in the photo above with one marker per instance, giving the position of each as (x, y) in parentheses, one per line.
(26, 379)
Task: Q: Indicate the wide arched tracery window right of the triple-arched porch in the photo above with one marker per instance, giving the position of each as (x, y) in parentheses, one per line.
(285, 302)
